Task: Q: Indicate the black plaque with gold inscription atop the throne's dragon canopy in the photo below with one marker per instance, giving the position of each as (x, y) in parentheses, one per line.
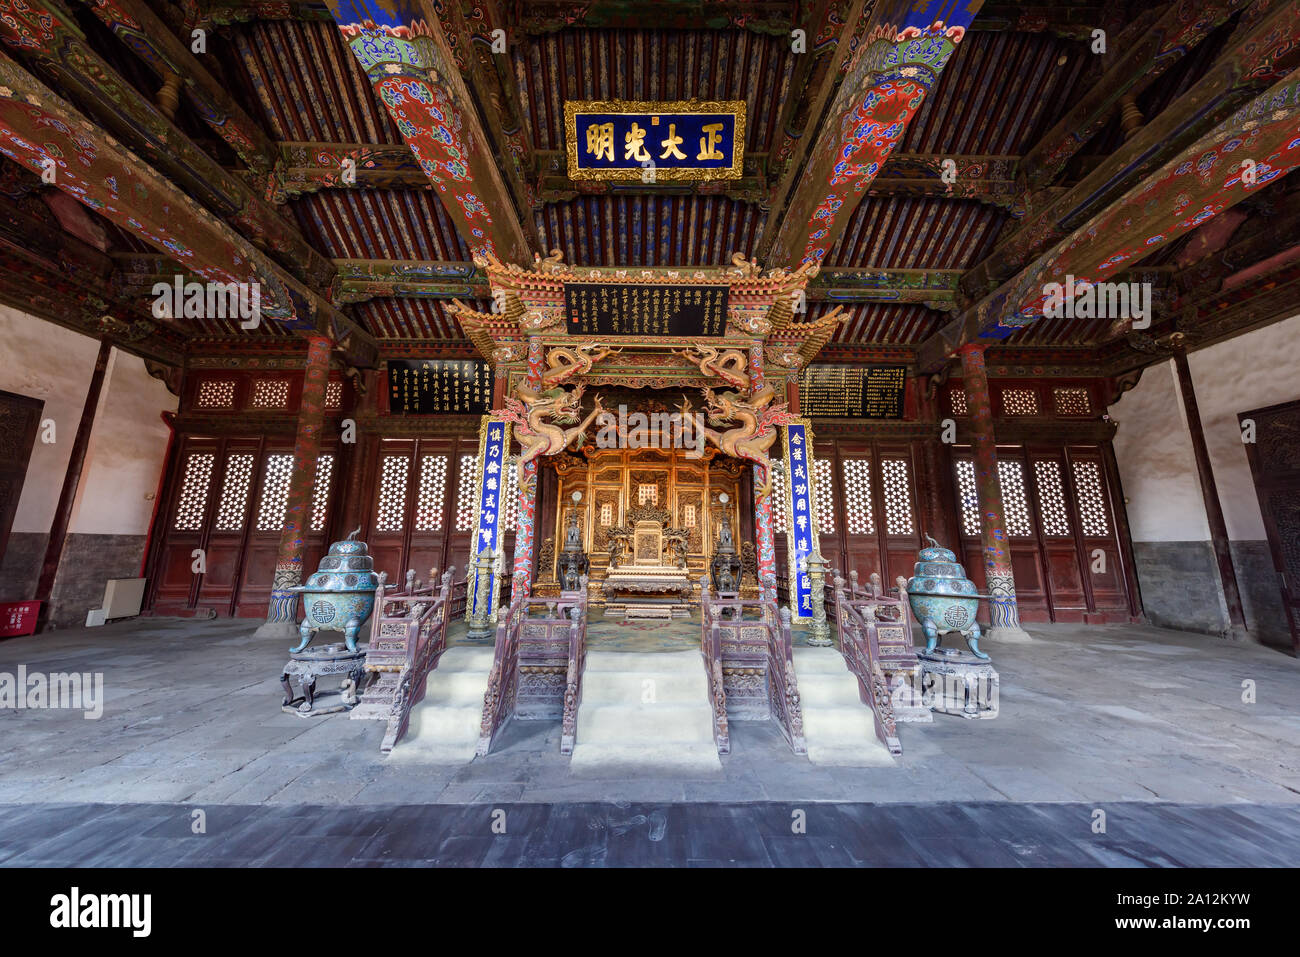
(643, 309)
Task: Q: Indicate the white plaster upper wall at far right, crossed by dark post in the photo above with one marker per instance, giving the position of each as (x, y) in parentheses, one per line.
(1154, 447)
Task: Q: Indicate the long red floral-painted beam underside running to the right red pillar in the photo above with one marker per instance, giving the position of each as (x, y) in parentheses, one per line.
(1203, 181)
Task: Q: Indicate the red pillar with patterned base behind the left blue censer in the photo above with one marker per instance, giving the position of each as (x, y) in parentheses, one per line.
(283, 614)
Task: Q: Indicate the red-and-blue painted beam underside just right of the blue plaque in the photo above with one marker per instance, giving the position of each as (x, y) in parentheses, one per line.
(907, 49)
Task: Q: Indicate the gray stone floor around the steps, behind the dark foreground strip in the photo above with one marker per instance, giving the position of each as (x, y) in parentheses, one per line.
(1089, 714)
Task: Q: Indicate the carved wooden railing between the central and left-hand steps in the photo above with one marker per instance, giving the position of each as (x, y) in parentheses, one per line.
(532, 652)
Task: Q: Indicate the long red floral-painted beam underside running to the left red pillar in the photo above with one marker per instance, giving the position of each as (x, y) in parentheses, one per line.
(37, 125)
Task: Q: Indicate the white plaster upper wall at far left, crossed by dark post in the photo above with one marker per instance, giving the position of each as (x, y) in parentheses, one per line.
(125, 454)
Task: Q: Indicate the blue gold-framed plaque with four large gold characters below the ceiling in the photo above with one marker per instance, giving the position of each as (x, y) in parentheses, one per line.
(652, 142)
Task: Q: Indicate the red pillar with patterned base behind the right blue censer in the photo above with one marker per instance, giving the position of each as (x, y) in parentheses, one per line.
(1004, 614)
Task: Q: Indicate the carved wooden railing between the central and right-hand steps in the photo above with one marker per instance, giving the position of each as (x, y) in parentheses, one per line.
(748, 638)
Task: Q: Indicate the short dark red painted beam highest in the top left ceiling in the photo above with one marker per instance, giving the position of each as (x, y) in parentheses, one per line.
(162, 51)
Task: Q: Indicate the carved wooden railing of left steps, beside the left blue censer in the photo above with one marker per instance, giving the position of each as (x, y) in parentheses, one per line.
(409, 635)
